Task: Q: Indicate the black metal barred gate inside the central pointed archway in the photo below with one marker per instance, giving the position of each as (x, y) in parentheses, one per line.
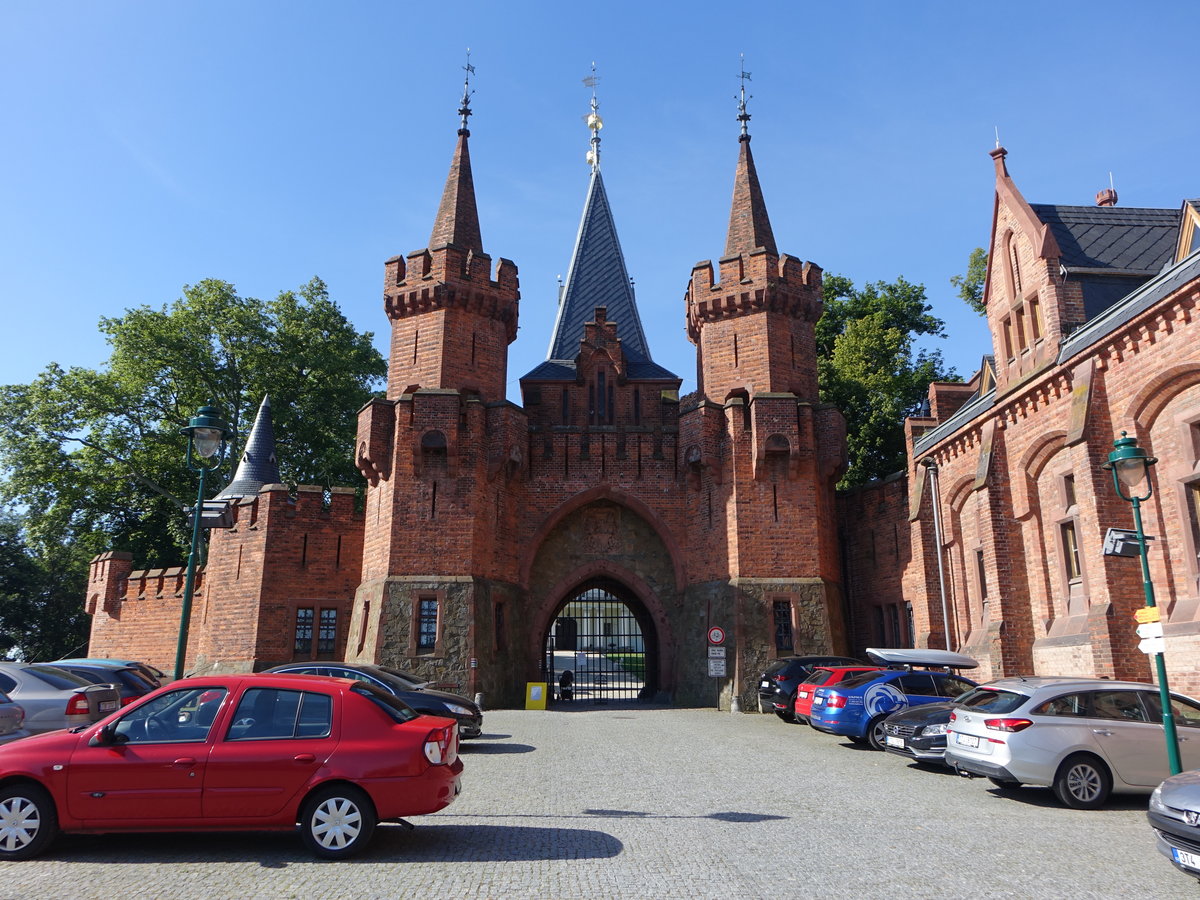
(597, 651)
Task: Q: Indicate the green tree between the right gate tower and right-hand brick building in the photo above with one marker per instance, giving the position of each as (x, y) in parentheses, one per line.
(869, 369)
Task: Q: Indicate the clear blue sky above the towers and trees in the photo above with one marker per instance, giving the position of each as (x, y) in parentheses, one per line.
(154, 145)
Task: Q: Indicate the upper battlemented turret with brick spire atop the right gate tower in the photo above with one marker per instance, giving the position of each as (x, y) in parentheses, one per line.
(754, 323)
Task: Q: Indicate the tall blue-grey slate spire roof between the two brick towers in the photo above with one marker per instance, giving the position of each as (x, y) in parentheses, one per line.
(597, 278)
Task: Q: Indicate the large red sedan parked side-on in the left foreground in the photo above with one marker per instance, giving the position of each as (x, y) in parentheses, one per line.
(235, 753)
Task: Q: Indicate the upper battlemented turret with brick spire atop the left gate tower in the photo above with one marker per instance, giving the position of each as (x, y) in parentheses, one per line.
(453, 317)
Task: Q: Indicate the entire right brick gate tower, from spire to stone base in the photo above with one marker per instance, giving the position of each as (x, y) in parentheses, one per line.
(763, 453)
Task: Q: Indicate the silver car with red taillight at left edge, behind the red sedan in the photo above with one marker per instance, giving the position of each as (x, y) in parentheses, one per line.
(56, 699)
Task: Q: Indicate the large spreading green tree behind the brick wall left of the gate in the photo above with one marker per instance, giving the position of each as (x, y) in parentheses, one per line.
(94, 459)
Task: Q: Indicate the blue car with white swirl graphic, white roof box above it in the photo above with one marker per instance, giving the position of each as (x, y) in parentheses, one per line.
(857, 707)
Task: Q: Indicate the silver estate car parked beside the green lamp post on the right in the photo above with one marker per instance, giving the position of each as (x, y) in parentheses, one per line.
(1084, 737)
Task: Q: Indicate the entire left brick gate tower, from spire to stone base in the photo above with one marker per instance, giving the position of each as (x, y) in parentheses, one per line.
(433, 512)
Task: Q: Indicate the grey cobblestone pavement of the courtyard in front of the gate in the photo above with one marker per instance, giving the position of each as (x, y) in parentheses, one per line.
(661, 803)
